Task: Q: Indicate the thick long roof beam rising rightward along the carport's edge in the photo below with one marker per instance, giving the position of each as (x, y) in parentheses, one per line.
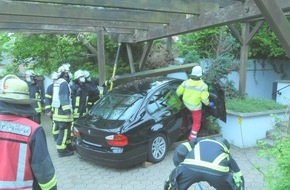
(238, 12)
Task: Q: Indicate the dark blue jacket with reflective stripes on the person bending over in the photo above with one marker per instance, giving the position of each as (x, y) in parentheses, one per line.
(205, 153)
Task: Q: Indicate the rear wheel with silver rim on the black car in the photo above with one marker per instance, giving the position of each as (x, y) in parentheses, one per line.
(157, 148)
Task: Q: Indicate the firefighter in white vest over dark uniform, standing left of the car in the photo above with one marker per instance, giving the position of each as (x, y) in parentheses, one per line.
(62, 111)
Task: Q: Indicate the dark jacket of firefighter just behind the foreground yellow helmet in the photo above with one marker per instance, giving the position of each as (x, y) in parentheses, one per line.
(35, 92)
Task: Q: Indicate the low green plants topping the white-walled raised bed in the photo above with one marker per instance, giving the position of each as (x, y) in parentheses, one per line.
(249, 105)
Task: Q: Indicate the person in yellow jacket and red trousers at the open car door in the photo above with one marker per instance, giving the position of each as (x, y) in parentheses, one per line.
(194, 92)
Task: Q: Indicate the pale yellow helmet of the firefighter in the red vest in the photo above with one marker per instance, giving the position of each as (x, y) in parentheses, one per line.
(15, 91)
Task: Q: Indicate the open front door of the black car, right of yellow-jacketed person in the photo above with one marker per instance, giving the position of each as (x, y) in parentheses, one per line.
(216, 95)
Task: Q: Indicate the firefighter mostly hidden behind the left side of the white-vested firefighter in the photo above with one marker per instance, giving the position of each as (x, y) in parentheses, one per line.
(48, 101)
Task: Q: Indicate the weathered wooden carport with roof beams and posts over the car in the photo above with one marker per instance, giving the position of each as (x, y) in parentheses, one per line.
(146, 20)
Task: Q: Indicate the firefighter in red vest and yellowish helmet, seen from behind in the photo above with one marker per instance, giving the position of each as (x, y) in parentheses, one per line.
(25, 160)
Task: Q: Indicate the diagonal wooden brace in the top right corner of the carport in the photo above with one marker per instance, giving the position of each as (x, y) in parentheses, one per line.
(277, 21)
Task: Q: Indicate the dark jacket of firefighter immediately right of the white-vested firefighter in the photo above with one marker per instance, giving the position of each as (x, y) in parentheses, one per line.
(80, 97)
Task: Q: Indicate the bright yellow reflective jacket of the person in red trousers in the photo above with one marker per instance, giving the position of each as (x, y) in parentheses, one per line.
(194, 93)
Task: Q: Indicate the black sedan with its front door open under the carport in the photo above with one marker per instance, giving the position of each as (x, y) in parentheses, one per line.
(138, 122)
